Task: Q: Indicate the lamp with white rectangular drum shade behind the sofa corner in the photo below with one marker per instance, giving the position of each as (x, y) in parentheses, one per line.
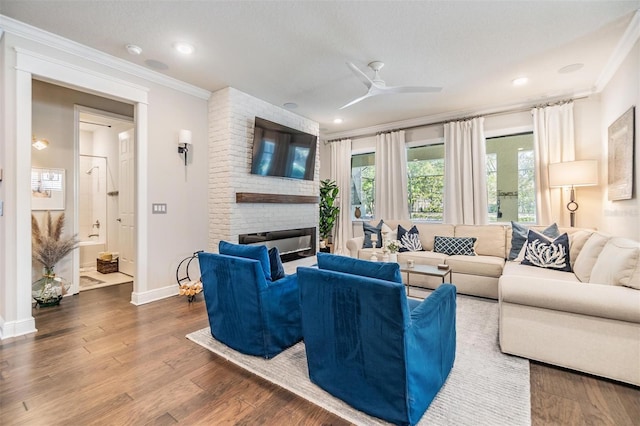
(572, 174)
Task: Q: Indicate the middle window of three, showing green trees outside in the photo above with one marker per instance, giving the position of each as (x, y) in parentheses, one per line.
(425, 182)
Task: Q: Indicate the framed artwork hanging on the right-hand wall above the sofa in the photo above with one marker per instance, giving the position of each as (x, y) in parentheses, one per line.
(621, 144)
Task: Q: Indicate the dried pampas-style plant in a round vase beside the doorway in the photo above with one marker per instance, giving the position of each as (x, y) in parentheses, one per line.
(48, 248)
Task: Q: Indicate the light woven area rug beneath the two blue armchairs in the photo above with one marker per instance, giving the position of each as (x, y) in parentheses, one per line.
(485, 386)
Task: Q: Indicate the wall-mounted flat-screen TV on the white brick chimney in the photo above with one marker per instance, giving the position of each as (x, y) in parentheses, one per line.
(282, 151)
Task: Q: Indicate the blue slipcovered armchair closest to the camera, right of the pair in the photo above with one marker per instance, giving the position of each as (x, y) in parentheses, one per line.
(369, 345)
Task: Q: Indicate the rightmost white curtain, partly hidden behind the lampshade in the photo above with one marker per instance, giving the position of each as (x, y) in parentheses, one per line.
(553, 141)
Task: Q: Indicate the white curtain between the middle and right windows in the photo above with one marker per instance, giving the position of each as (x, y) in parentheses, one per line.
(465, 173)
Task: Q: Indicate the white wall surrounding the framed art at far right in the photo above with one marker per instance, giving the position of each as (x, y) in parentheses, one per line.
(621, 93)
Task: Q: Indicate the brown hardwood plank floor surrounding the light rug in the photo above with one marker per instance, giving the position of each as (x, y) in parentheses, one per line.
(97, 359)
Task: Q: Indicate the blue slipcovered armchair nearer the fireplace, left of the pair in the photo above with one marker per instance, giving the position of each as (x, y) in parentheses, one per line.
(247, 311)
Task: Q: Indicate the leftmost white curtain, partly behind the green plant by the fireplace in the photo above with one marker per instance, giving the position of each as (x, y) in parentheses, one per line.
(341, 174)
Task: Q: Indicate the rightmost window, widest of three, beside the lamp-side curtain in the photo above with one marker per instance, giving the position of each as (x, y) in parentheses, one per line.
(511, 178)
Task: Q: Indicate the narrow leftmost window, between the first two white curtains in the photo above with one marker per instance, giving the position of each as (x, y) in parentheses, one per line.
(363, 174)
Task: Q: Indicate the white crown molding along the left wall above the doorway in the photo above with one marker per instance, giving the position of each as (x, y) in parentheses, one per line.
(46, 38)
